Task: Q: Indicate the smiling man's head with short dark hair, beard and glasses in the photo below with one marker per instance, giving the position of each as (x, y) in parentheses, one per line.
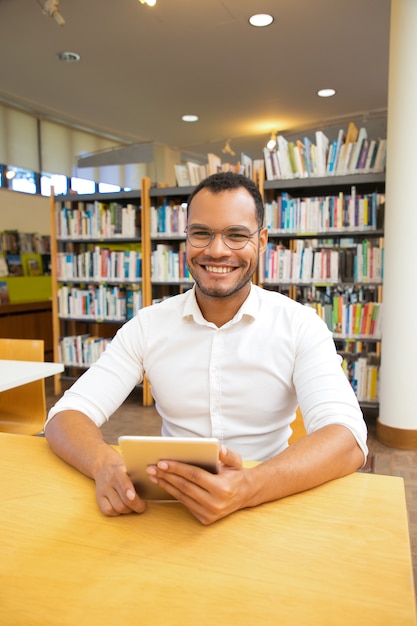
(225, 235)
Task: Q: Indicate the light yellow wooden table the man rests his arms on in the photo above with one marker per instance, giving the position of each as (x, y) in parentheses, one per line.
(338, 554)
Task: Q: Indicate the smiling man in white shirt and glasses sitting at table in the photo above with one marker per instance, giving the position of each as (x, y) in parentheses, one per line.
(229, 360)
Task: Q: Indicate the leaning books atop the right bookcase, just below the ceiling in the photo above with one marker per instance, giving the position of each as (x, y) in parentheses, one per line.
(352, 152)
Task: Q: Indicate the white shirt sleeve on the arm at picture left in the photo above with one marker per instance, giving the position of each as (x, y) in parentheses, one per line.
(100, 391)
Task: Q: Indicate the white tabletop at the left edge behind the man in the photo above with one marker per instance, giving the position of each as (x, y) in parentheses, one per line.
(17, 373)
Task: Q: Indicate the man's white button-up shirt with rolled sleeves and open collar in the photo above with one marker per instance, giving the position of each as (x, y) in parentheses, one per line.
(240, 383)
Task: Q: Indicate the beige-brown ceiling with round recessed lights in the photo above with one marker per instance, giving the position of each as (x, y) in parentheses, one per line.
(142, 68)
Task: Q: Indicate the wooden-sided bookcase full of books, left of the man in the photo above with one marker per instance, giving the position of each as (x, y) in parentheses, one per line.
(97, 273)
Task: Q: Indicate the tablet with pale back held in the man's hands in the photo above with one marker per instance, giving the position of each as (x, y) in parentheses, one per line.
(139, 452)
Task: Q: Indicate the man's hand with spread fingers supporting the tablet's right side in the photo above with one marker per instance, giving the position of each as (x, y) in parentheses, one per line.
(209, 497)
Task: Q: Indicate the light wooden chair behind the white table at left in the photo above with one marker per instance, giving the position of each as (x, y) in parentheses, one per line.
(23, 409)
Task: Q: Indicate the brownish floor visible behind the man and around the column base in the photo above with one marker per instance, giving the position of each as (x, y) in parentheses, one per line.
(132, 418)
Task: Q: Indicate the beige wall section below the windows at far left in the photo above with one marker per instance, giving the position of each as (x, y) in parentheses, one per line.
(24, 212)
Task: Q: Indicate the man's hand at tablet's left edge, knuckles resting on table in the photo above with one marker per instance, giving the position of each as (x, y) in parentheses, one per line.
(115, 492)
